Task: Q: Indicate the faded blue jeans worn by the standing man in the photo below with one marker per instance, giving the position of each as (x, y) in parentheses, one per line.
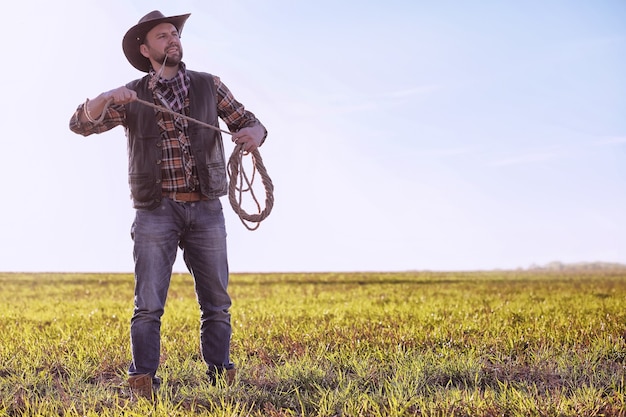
(199, 229)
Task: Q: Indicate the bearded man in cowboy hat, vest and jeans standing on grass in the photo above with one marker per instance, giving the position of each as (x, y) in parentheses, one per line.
(177, 172)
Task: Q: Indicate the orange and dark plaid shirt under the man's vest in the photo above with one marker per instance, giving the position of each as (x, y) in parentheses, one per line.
(178, 165)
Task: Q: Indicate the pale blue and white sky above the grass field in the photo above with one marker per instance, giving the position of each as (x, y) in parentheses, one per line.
(403, 135)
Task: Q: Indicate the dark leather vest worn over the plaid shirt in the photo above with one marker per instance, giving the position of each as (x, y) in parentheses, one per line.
(145, 143)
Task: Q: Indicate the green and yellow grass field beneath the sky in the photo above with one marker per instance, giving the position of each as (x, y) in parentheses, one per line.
(370, 344)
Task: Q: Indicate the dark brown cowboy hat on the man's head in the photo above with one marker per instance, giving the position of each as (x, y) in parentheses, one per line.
(136, 35)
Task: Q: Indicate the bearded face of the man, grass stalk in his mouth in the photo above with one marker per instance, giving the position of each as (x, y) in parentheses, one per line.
(163, 40)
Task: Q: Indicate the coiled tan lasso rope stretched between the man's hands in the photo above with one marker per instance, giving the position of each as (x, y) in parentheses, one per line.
(239, 182)
